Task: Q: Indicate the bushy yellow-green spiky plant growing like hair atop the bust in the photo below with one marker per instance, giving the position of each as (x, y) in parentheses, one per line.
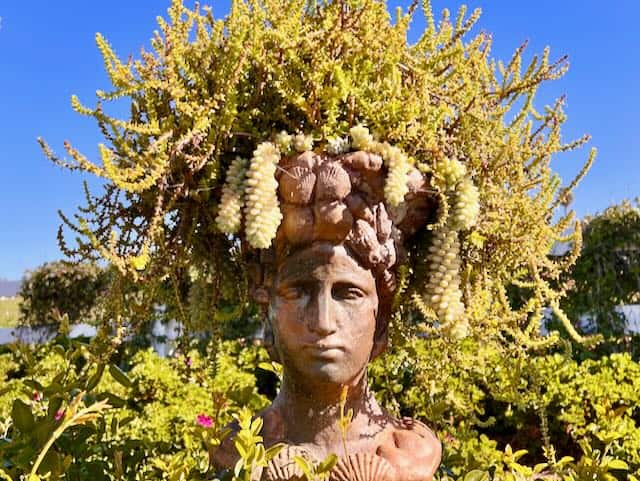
(214, 89)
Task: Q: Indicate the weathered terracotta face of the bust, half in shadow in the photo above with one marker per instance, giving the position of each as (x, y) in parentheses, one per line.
(323, 312)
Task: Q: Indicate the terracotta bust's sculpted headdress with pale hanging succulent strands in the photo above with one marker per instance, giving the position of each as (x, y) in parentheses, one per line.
(368, 195)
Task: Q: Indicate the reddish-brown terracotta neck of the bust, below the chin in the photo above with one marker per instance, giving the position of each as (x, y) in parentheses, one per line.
(311, 413)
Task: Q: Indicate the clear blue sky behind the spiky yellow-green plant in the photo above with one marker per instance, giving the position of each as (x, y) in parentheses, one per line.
(47, 53)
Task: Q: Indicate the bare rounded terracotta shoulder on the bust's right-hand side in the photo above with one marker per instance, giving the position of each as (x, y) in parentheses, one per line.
(412, 449)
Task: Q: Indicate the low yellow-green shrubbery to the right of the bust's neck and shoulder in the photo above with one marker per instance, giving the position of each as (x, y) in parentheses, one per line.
(481, 402)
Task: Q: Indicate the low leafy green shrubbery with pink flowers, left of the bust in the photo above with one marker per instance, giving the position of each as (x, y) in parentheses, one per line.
(152, 425)
